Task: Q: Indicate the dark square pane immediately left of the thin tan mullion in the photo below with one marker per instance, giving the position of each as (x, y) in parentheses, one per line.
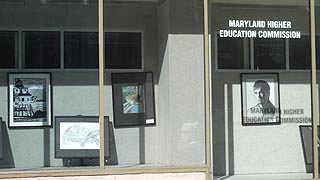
(81, 50)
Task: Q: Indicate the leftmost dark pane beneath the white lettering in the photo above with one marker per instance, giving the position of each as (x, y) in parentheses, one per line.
(233, 53)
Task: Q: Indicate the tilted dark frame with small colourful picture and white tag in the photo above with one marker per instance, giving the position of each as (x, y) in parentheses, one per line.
(133, 99)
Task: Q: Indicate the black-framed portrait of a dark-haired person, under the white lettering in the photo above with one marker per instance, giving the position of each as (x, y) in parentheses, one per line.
(260, 99)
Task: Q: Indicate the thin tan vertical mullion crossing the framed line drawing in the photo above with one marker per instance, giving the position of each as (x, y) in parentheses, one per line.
(101, 84)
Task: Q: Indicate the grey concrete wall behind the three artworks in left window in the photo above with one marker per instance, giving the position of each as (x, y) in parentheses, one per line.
(173, 50)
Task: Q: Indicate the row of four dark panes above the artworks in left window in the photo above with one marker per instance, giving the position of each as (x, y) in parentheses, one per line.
(42, 50)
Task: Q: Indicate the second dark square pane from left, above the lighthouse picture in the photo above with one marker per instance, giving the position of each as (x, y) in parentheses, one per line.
(42, 49)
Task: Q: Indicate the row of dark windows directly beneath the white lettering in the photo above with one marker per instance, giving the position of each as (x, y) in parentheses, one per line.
(257, 53)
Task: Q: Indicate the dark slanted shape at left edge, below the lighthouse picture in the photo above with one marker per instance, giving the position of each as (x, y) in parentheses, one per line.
(6, 160)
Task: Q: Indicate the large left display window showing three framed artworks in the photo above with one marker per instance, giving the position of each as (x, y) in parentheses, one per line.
(60, 72)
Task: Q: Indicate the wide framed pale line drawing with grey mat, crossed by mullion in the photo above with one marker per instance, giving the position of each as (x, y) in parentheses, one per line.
(79, 136)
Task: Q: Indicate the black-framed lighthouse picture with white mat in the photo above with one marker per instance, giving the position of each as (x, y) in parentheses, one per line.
(29, 100)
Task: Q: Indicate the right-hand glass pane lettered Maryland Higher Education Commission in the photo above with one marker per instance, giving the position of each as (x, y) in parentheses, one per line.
(261, 118)
